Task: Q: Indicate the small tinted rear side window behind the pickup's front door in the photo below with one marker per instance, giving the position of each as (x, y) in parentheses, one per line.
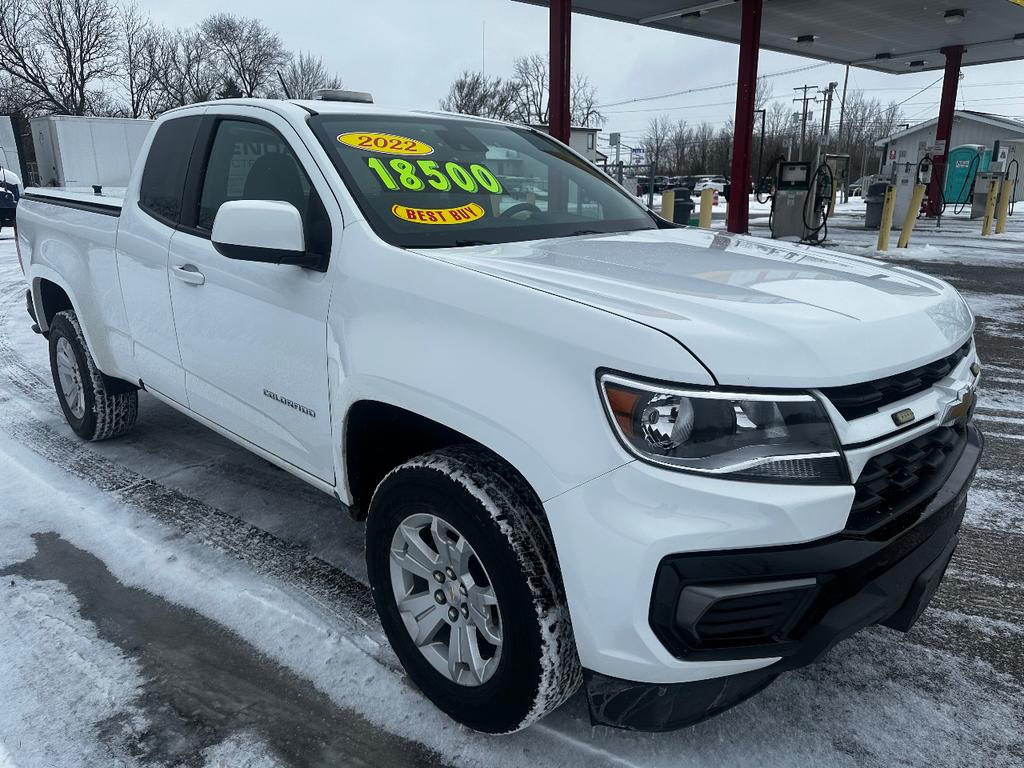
(166, 166)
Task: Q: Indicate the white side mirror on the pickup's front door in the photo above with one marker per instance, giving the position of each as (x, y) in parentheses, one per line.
(265, 231)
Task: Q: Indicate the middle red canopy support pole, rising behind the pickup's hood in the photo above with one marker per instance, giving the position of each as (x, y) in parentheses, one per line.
(743, 140)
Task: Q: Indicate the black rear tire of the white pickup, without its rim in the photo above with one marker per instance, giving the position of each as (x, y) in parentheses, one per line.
(111, 405)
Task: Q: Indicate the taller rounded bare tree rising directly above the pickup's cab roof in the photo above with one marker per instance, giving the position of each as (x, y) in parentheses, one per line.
(249, 52)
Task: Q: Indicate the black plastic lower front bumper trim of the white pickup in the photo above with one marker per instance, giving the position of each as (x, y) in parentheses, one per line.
(861, 583)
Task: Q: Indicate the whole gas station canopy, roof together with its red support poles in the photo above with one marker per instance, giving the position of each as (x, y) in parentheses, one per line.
(890, 36)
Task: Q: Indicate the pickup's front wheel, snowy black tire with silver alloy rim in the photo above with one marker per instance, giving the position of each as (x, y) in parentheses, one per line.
(464, 578)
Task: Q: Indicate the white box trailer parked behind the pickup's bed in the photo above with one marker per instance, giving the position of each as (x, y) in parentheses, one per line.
(82, 152)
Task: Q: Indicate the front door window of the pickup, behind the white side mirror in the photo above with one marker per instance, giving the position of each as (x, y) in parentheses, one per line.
(249, 161)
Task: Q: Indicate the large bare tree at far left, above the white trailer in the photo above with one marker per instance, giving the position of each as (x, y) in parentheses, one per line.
(59, 50)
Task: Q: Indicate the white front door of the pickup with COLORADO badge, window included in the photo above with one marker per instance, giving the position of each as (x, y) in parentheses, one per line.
(253, 336)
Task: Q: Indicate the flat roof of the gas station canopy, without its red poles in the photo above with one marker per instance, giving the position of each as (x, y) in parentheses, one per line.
(891, 36)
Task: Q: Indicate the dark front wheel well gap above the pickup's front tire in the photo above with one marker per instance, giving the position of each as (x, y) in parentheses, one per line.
(379, 438)
